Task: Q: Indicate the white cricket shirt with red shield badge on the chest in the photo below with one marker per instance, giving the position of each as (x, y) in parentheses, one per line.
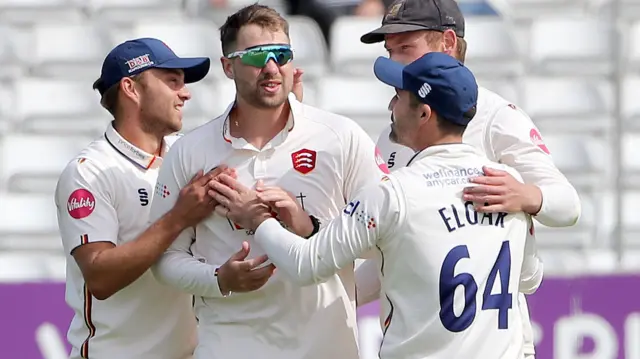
(322, 159)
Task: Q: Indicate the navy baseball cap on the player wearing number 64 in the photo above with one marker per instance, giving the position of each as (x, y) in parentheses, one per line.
(438, 80)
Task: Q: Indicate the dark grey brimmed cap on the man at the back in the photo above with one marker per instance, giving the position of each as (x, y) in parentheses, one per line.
(414, 15)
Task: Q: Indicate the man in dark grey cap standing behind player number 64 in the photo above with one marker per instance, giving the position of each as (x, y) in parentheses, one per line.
(503, 131)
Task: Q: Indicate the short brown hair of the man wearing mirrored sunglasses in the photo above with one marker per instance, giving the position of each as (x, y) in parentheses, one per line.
(256, 14)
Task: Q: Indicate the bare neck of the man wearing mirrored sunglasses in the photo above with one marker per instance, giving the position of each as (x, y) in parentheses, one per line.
(257, 125)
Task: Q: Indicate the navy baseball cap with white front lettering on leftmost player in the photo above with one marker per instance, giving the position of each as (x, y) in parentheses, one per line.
(135, 56)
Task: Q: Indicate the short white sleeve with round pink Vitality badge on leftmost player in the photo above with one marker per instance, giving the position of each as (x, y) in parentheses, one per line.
(85, 204)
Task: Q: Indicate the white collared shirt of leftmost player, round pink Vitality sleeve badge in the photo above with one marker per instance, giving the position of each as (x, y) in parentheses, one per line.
(105, 194)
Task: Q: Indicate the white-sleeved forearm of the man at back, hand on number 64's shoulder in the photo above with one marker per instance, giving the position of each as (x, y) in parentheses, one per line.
(560, 206)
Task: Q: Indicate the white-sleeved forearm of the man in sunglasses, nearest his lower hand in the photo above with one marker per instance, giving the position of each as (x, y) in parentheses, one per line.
(181, 270)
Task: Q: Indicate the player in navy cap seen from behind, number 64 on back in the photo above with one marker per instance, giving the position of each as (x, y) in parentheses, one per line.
(449, 274)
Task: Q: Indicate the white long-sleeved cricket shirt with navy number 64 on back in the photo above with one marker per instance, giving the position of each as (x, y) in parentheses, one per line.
(450, 275)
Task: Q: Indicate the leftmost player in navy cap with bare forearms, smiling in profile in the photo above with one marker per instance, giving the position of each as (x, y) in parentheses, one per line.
(103, 198)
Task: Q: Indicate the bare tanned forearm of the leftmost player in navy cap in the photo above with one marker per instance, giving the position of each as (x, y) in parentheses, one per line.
(115, 268)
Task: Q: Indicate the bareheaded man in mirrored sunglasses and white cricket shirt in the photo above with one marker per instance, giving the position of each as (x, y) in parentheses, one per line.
(285, 149)
